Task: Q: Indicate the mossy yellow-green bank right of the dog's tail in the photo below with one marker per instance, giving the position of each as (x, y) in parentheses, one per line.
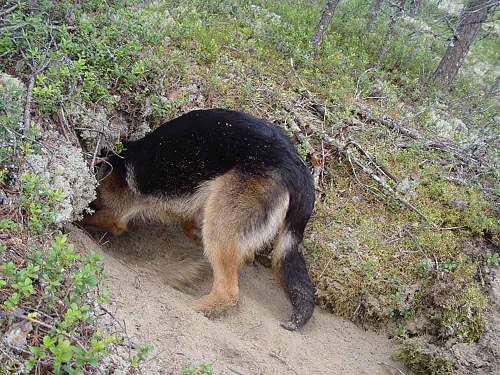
(374, 260)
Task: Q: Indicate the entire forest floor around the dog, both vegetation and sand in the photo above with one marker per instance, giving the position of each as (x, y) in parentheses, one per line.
(404, 240)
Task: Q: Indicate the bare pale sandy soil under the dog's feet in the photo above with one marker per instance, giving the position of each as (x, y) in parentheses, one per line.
(155, 274)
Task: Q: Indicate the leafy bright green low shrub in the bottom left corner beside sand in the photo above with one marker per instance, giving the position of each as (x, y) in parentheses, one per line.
(62, 280)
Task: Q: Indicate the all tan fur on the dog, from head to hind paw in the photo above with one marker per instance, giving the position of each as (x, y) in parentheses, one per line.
(234, 222)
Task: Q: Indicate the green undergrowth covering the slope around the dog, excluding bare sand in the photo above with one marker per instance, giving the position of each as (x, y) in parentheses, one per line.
(372, 260)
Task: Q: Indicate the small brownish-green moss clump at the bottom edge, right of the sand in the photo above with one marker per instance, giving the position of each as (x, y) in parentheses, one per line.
(422, 361)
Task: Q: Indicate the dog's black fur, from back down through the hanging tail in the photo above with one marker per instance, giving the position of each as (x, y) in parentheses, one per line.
(204, 144)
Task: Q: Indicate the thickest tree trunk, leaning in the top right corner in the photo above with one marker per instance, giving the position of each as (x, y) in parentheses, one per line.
(469, 25)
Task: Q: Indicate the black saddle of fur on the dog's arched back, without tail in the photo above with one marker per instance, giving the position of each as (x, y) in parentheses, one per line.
(204, 144)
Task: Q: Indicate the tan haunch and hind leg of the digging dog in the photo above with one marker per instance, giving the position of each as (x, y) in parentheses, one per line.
(232, 205)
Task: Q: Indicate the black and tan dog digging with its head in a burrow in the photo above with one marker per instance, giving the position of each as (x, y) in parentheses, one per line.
(239, 177)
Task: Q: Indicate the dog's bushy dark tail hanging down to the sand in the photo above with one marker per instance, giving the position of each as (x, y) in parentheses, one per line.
(288, 258)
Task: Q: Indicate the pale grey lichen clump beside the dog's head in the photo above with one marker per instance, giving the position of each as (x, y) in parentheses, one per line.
(62, 166)
